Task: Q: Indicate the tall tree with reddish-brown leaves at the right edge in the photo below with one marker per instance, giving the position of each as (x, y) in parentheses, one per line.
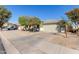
(73, 15)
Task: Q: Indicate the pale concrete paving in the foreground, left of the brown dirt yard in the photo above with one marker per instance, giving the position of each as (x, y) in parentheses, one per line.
(32, 43)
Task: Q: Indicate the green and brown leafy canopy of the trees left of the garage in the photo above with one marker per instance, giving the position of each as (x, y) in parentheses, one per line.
(27, 20)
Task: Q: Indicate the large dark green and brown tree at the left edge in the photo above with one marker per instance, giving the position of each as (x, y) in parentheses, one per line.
(4, 15)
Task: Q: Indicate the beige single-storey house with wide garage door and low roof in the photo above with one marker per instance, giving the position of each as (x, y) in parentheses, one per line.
(50, 26)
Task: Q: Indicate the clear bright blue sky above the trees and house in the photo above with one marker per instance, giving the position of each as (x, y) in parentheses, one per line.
(44, 12)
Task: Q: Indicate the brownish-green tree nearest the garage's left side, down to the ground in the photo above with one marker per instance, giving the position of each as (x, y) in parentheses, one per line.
(34, 23)
